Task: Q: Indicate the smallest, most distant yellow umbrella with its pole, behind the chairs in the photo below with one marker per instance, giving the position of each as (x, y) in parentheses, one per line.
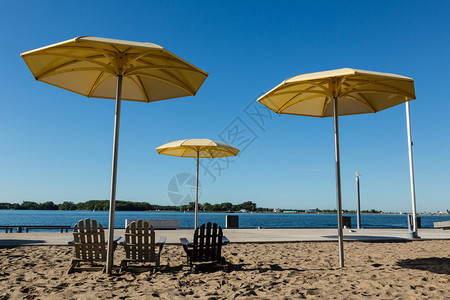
(197, 148)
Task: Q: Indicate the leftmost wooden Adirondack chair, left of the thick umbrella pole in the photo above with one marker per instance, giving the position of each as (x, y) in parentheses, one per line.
(90, 245)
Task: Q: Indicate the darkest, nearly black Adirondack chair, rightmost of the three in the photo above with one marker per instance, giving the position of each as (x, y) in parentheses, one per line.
(207, 245)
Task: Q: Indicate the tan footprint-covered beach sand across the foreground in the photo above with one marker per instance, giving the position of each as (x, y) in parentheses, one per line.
(402, 270)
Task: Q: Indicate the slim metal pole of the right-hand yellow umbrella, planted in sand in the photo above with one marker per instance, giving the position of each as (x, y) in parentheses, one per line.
(338, 182)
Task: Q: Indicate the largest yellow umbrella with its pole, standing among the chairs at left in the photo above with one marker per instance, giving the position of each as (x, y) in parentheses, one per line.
(114, 69)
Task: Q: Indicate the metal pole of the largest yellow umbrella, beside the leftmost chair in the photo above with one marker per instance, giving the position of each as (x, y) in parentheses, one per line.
(112, 202)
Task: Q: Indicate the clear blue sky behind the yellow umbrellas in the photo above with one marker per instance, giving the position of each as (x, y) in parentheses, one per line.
(57, 145)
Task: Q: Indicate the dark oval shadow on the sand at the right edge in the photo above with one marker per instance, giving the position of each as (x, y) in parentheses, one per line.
(439, 265)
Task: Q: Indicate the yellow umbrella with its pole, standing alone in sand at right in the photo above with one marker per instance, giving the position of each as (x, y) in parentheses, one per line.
(336, 93)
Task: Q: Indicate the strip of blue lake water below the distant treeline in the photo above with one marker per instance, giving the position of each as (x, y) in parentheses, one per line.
(246, 220)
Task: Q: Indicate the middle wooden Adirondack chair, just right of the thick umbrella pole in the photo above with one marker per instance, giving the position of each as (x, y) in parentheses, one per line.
(139, 244)
